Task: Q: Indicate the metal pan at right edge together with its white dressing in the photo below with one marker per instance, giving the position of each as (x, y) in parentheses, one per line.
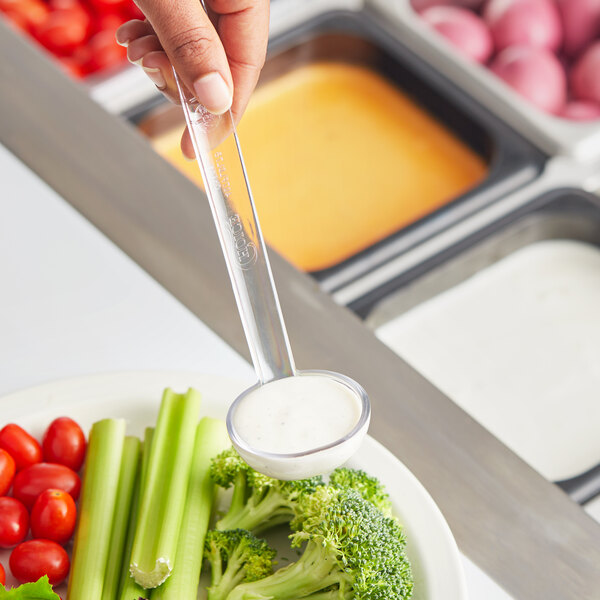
(450, 306)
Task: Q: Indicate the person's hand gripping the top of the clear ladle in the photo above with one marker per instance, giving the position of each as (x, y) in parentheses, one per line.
(218, 56)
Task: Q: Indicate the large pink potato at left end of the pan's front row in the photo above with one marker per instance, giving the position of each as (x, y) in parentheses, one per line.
(463, 29)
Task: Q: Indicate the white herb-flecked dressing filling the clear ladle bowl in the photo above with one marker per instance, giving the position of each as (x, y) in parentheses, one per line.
(297, 414)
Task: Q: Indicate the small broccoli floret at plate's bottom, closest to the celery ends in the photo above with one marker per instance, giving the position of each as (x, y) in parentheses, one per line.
(235, 556)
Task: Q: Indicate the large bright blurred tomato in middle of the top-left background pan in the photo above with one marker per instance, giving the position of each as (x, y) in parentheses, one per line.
(63, 30)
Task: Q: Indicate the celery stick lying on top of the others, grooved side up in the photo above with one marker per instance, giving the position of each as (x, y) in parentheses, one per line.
(163, 494)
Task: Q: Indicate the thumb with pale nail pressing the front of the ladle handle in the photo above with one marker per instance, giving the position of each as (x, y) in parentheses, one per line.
(194, 49)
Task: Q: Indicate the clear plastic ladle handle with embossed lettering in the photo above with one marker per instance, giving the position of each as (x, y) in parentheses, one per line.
(226, 184)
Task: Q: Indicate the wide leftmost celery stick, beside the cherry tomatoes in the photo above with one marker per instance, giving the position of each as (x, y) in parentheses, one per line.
(96, 509)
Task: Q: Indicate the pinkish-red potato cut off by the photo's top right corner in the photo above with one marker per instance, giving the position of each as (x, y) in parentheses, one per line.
(581, 23)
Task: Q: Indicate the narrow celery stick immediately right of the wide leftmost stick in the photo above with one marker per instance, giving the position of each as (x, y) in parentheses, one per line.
(129, 470)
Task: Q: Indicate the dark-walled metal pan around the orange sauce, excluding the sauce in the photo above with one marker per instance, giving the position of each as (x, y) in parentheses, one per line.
(360, 38)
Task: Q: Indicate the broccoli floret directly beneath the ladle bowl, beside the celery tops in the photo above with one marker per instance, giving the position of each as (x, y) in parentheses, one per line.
(258, 502)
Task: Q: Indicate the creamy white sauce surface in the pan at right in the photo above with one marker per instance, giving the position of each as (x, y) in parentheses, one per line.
(518, 347)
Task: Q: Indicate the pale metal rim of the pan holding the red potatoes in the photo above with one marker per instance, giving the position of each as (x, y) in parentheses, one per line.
(552, 134)
